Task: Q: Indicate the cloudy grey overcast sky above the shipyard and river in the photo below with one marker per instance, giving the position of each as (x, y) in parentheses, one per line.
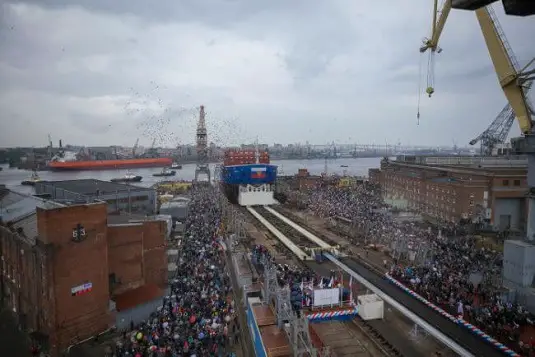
(102, 72)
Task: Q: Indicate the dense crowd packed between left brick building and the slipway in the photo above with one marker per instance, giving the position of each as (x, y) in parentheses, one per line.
(197, 318)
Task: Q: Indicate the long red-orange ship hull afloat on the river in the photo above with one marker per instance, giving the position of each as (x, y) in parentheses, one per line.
(108, 164)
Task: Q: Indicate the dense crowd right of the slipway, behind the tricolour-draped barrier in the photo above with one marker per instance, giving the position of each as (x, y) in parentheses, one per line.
(455, 273)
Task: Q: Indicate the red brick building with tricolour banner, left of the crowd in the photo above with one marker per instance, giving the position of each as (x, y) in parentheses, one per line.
(68, 269)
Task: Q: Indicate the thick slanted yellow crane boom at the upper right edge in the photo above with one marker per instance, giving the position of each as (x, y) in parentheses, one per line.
(508, 76)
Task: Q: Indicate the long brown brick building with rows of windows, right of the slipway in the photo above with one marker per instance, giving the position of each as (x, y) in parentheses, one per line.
(493, 195)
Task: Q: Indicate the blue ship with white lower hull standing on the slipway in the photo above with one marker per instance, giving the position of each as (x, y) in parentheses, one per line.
(248, 178)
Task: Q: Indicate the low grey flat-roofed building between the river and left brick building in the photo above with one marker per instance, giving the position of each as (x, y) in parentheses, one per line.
(119, 197)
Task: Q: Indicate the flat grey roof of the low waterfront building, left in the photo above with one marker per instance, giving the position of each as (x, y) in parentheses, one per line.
(89, 187)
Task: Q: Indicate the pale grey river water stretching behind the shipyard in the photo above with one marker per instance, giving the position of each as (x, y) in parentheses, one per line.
(355, 167)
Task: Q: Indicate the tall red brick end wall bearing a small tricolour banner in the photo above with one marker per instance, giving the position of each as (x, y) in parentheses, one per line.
(76, 263)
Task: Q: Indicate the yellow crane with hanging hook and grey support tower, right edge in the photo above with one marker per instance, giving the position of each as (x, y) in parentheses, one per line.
(514, 83)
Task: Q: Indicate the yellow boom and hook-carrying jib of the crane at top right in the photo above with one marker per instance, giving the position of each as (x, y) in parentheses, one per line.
(512, 80)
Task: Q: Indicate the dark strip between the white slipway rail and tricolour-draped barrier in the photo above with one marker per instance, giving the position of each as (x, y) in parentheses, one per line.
(458, 333)
